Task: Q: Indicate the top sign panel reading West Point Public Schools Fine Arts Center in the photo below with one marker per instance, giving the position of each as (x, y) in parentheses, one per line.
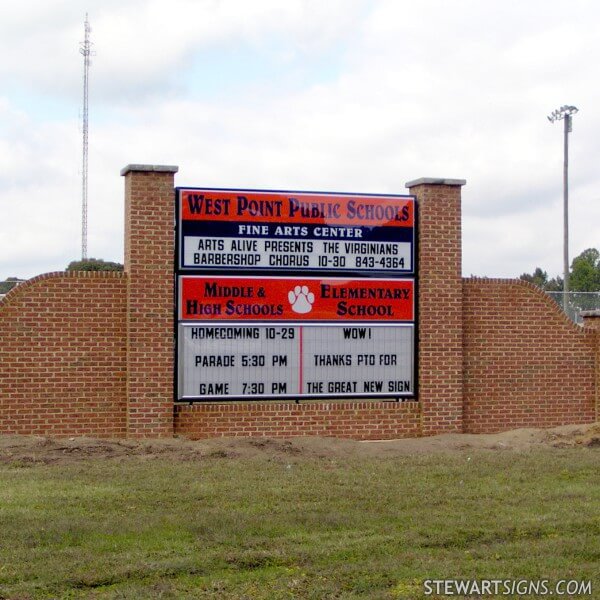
(237, 230)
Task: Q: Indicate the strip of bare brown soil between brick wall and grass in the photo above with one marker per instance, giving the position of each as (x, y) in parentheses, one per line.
(45, 450)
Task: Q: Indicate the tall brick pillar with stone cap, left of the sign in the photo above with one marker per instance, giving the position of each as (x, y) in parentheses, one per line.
(149, 264)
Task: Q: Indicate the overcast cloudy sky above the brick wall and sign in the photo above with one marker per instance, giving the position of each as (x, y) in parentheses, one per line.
(340, 95)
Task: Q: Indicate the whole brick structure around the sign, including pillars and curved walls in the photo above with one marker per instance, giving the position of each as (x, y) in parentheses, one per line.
(92, 353)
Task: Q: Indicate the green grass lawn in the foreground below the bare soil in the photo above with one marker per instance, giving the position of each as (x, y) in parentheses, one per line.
(297, 528)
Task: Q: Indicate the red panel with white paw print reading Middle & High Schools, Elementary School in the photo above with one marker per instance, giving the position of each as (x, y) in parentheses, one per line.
(301, 299)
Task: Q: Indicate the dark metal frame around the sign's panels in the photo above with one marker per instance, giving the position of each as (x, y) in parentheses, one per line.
(180, 272)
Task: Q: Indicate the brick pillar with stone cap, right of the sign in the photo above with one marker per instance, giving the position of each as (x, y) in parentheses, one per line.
(440, 304)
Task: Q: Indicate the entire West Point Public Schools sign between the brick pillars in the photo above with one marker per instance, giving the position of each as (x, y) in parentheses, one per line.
(312, 324)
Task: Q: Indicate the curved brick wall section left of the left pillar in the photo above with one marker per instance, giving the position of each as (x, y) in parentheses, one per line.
(62, 355)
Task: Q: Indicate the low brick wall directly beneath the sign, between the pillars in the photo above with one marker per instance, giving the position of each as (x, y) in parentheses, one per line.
(357, 420)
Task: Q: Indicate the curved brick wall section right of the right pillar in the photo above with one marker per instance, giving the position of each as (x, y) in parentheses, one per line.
(525, 363)
